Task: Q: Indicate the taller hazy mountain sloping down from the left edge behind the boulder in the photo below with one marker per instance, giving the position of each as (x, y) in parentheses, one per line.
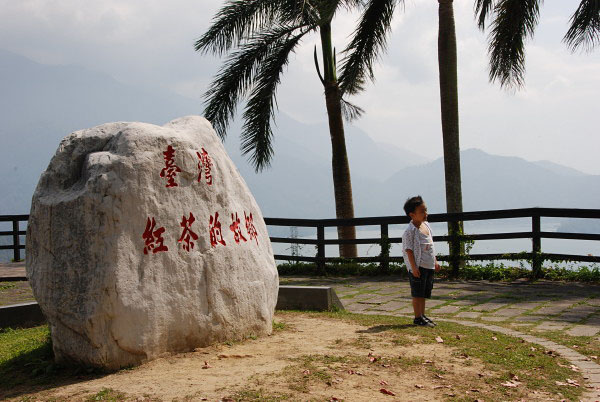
(40, 104)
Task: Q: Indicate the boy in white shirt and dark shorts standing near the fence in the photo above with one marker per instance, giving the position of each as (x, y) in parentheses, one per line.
(419, 257)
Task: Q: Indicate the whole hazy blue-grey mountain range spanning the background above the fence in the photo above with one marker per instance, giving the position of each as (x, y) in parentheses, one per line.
(41, 104)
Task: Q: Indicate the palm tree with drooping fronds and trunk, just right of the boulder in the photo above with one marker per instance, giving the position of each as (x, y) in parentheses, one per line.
(264, 33)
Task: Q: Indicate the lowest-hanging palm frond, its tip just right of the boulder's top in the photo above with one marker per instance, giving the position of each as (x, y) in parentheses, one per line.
(257, 134)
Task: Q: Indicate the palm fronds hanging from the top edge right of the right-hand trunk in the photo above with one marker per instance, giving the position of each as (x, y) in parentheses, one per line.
(513, 21)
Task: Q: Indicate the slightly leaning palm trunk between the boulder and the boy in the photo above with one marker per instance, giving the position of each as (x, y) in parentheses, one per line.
(342, 184)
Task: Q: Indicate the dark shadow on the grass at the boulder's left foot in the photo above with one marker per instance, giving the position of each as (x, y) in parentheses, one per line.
(35, 371)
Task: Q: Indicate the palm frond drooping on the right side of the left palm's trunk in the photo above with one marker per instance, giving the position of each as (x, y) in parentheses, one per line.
(368, 41)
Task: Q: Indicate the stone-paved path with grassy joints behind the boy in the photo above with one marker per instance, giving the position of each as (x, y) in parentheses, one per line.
(544, 305)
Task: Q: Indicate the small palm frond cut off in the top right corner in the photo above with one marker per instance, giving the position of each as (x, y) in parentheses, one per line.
(585, 26)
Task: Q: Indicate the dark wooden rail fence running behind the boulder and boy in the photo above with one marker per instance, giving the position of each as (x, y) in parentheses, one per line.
(536, 256)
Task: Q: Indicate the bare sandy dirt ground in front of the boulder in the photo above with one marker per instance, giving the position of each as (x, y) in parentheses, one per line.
(308, 358)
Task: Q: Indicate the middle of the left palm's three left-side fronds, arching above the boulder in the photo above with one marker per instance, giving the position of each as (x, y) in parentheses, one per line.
(235, 78)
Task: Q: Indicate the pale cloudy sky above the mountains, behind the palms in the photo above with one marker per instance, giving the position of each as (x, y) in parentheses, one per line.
(149, 44)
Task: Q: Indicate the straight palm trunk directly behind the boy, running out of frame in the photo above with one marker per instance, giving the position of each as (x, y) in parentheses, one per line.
(447, 62)
